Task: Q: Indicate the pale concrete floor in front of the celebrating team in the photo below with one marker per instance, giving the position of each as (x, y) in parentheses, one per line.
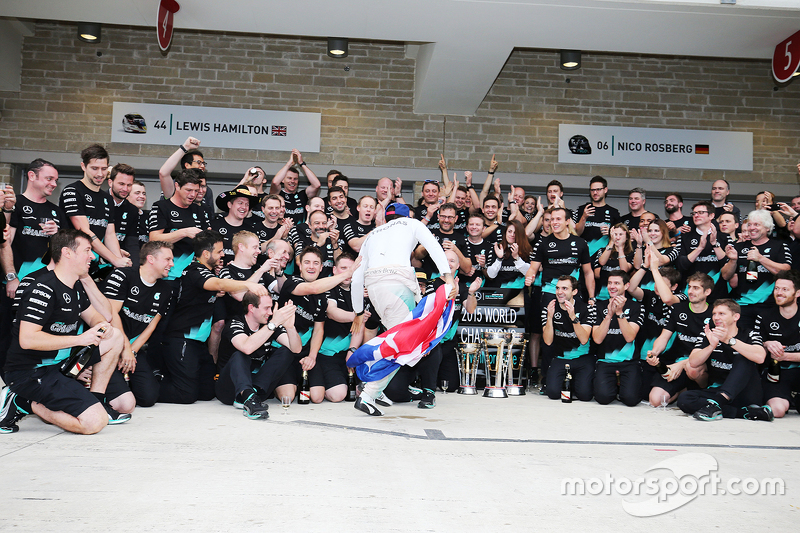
(470, 464)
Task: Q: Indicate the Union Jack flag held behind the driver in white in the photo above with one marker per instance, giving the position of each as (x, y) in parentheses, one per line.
(408, 342)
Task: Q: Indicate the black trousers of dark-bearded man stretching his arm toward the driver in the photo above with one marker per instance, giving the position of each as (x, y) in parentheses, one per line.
(188, 372)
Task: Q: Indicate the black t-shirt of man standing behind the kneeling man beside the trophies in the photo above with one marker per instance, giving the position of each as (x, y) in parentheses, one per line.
(560, 257)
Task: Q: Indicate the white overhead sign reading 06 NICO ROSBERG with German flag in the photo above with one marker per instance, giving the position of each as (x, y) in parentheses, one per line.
(655, 147)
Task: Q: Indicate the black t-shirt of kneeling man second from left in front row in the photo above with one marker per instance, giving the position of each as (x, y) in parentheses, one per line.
(140, 302)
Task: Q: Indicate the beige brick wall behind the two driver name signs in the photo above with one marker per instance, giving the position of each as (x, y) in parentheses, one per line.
(367, 116)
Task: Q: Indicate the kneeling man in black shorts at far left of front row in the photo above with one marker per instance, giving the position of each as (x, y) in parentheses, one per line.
(52, 310)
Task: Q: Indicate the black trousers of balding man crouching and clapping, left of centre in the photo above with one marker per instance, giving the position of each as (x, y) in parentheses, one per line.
(238, 375)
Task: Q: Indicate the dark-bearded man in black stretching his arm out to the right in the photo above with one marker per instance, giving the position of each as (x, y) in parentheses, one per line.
(188, 367)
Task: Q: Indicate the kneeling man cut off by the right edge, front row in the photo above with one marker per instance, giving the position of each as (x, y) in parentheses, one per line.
(781, 335)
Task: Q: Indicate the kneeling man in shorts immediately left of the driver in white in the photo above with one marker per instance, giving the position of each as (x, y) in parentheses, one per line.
(337, 342)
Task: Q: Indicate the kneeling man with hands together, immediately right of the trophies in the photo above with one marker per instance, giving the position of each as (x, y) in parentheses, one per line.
(567, 327)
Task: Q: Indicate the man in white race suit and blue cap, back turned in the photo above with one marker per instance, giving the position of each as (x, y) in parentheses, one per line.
(390, 280)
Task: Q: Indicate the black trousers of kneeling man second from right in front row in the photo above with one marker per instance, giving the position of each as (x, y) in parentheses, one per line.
(742, 386)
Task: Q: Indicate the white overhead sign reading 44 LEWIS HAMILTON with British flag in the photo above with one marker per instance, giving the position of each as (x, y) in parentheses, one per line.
(249, 129)
